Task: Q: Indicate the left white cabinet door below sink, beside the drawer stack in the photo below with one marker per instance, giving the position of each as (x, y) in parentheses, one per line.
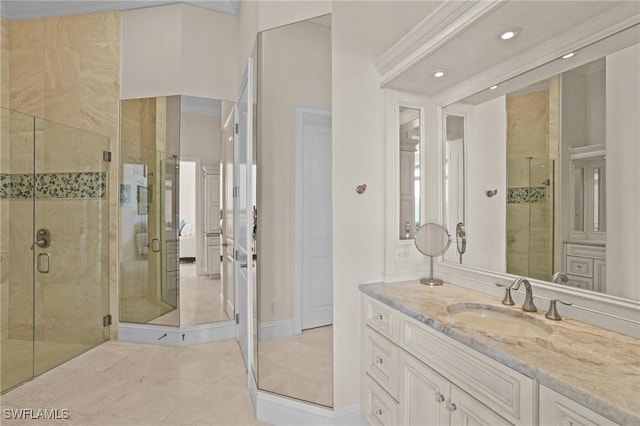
(423, 393)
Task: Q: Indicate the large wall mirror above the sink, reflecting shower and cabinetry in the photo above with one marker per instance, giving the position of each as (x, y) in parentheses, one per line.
(539, 170)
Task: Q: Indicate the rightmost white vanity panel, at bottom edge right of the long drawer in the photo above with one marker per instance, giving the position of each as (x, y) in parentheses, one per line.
(558, 410)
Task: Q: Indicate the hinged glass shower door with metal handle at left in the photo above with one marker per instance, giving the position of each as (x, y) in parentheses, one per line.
(71, 243)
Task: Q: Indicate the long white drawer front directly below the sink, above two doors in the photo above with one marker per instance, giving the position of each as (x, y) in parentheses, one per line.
(507, 392)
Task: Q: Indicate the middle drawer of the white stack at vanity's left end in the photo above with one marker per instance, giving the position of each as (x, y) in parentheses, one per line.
(381, 361)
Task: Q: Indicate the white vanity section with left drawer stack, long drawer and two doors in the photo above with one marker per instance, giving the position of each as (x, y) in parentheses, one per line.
(416, 376)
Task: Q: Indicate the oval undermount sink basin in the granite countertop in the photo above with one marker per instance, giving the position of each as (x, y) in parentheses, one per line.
(500, 321)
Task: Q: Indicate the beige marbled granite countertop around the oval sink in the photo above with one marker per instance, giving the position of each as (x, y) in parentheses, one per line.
(595, 367)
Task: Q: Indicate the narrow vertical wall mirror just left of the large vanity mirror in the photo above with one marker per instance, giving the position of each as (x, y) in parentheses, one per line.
(409, 144)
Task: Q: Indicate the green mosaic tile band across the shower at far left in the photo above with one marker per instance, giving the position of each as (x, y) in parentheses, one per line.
(86, 185)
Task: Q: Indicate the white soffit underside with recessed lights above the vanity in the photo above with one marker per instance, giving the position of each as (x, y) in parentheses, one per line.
(479, 48)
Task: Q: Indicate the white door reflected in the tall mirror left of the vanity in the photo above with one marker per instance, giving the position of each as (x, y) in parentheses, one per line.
(314, 217)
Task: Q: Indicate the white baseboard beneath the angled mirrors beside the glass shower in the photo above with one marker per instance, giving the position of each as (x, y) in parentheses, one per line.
(185, 335)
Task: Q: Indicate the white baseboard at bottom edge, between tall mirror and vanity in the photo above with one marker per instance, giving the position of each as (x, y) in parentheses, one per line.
(280, 411)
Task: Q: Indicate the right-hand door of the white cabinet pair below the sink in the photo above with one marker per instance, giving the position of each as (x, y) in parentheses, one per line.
(467, 411)
